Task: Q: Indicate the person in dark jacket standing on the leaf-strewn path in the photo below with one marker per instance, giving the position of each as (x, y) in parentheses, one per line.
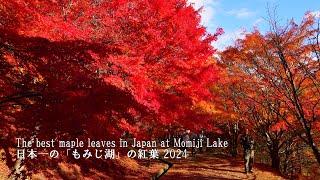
(248, 151)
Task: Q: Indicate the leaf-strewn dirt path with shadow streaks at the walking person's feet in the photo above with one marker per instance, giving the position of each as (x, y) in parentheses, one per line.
(216, 167)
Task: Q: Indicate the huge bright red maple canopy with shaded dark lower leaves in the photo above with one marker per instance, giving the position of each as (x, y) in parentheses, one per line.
(102, 67)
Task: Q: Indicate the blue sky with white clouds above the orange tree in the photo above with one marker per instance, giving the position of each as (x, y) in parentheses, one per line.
(239, 16)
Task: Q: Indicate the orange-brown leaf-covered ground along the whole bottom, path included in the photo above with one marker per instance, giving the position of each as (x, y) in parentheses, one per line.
(203, 166)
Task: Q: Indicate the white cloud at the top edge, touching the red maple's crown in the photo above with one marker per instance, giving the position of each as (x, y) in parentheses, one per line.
(208, 12)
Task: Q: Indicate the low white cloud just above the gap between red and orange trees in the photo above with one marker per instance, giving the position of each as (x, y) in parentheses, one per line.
(228, 38)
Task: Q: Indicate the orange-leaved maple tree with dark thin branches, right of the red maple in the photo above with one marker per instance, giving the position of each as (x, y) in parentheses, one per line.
(270, 82)
